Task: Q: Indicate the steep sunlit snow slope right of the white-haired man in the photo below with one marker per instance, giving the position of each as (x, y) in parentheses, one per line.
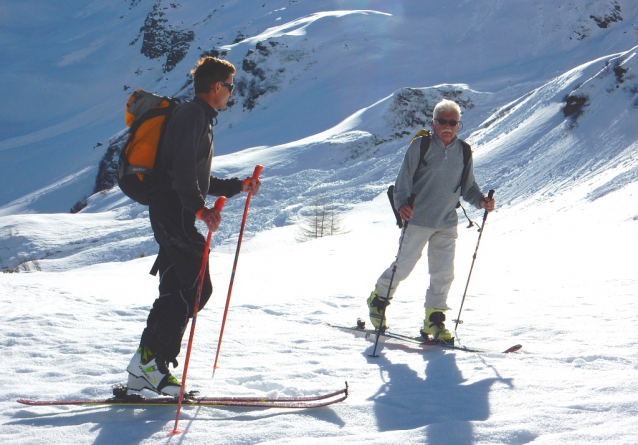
(579, 127)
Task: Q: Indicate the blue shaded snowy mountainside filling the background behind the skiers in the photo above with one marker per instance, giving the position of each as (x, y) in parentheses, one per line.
(303, 67)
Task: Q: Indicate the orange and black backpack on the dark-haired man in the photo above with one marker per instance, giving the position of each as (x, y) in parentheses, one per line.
(147, 115)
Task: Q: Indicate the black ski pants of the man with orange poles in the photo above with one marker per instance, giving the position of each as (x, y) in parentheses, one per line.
(179, 262)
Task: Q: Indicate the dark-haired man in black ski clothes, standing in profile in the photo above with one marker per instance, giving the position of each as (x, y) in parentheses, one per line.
(177, 198)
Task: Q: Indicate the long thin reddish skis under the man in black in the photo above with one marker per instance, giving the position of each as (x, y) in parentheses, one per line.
(121, 397)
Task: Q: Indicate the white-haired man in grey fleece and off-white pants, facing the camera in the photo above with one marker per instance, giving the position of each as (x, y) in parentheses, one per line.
(426, 194)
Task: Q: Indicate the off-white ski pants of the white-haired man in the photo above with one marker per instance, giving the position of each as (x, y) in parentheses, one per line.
(441, 247)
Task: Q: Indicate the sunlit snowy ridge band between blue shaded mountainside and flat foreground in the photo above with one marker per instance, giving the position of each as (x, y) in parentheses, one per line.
(578, 128)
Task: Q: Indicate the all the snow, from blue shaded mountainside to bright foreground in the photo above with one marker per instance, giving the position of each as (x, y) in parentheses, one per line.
(555, 270)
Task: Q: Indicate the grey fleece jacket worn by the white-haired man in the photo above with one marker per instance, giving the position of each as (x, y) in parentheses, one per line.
(437, 183)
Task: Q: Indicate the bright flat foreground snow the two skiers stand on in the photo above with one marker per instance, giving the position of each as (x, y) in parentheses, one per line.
(550, 276)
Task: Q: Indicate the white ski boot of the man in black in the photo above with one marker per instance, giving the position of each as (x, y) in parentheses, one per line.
(149, 371)
